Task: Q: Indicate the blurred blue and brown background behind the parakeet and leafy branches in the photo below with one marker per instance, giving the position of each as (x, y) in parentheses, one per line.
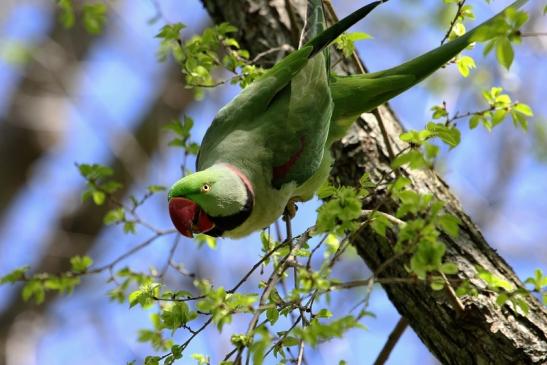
(68, 97)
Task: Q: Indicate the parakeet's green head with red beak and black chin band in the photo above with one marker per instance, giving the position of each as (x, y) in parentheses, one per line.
(211, 201)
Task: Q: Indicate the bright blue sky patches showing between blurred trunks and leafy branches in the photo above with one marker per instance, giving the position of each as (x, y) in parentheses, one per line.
(117, 83)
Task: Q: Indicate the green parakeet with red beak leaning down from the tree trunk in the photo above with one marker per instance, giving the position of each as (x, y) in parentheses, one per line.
(270, 144)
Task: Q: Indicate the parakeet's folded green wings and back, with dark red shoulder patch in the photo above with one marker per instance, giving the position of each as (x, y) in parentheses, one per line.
(283, 117)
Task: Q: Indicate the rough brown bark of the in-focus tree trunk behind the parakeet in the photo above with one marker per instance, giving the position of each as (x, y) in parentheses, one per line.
(484, 333)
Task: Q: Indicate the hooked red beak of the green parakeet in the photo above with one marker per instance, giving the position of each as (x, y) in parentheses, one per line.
(188, 217)
